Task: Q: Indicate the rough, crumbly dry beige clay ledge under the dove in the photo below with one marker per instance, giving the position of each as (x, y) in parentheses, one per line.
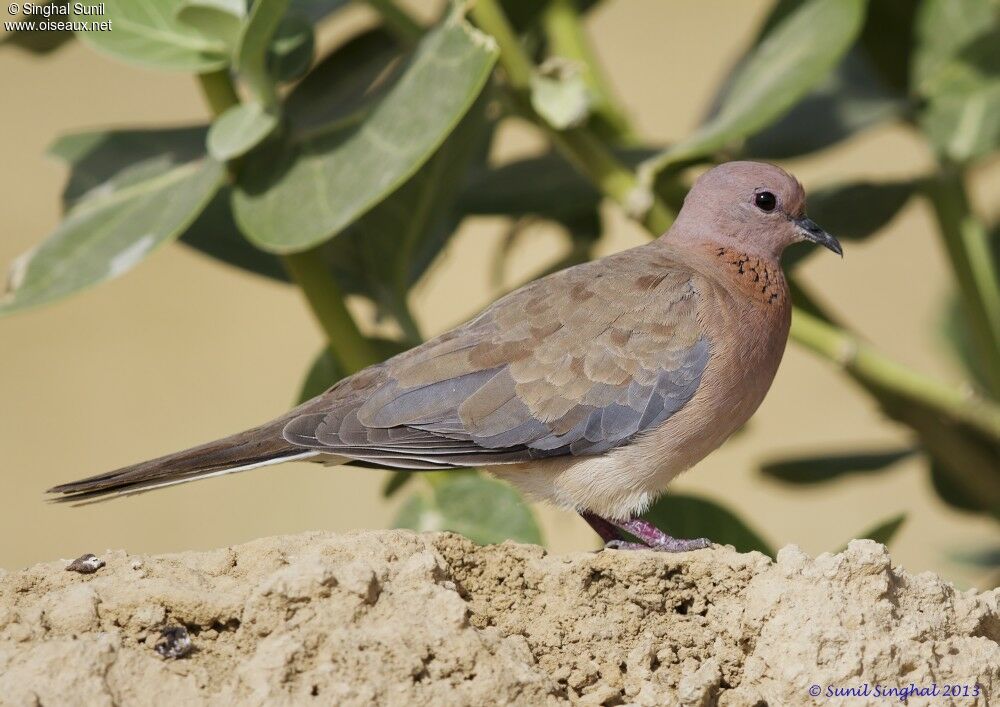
(397, 618)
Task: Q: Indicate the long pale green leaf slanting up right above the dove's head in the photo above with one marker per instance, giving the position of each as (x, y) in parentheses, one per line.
(795, 56)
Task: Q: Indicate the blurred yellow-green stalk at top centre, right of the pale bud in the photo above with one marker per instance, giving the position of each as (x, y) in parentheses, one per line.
(564, 29)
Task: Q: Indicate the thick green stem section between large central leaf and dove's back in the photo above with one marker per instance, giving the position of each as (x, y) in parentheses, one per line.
(351, 349)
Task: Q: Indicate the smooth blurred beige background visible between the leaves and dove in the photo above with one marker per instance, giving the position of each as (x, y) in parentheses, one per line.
(182, 349)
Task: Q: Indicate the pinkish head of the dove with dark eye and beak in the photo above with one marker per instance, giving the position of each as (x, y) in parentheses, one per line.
(753, 206)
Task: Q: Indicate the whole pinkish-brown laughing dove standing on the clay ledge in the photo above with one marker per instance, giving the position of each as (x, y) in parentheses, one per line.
(590, 388)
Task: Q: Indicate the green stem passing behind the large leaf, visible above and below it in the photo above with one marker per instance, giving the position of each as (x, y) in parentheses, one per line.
(307, 269)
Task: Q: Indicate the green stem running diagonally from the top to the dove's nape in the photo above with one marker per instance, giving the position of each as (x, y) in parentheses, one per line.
(579, 145)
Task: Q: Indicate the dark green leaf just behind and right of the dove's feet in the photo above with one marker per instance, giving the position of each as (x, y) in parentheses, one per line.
(689, 516)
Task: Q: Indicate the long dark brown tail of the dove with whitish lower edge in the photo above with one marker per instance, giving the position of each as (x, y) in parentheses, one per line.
(256, 447)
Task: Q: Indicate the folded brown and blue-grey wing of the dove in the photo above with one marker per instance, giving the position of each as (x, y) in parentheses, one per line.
(573, 364)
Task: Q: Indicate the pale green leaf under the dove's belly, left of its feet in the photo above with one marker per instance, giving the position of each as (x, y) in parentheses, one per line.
(484, 510)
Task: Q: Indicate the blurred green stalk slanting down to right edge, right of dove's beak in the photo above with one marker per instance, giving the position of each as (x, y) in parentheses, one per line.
(967, 244)
